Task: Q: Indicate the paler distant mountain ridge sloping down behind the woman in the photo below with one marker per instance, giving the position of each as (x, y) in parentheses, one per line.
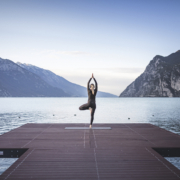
(57, 81)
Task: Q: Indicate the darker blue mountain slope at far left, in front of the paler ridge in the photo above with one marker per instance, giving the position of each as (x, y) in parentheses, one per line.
(16, 81)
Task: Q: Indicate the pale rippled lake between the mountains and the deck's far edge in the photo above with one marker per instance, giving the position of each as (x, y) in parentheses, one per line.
(163, 112)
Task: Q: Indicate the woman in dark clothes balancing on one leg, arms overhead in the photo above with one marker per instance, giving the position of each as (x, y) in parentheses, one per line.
(91, 105)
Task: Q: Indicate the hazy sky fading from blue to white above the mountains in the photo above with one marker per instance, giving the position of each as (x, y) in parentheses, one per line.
(73, 38)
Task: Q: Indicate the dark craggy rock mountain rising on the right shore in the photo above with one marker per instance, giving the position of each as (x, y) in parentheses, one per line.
(161, 78)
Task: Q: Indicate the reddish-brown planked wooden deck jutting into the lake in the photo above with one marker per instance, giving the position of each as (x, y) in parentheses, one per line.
(124, 152)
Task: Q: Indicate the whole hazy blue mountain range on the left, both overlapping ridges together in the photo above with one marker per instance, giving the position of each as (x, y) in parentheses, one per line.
(22, 80)
